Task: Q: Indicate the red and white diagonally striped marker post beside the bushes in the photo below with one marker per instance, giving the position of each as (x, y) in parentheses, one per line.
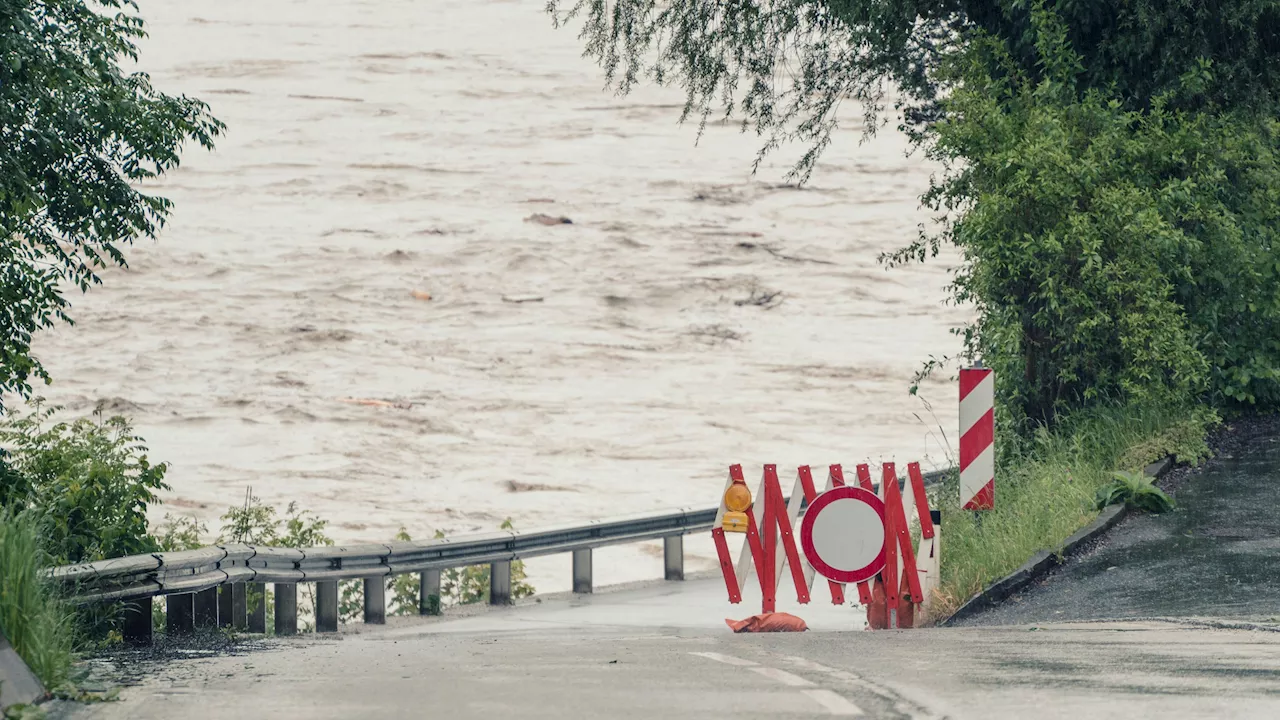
(977, 439)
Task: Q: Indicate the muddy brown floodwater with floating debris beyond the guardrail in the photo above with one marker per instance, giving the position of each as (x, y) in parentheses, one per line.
(360, 235)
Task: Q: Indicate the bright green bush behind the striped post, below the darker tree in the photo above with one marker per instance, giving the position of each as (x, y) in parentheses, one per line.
(1113, 254)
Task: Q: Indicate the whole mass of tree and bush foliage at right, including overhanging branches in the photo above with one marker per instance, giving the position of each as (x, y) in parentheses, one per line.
(1110, 168)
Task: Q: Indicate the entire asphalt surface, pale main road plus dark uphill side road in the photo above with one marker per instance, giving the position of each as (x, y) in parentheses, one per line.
(662, 651)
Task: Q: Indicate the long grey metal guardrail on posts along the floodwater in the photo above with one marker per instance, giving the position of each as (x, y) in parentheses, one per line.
(202, 578)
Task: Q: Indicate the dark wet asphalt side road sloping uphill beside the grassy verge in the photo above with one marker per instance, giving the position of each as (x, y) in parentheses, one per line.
(1217, 555)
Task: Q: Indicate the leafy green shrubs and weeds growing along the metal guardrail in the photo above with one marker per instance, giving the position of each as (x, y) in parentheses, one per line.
(81, 491)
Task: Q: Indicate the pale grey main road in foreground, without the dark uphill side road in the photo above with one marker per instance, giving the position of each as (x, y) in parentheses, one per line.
(664, 653)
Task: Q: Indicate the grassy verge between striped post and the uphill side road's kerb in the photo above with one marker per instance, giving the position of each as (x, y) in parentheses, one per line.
(1045, 489)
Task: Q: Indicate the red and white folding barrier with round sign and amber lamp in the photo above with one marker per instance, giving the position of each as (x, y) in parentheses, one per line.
(872, 553)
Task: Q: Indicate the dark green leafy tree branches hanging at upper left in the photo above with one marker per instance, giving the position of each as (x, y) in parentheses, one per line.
(77, 134)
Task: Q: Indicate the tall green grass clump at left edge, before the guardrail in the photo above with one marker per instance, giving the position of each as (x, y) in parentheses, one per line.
(36, 623)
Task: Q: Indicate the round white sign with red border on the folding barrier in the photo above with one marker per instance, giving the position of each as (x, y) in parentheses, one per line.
(843, 535)
